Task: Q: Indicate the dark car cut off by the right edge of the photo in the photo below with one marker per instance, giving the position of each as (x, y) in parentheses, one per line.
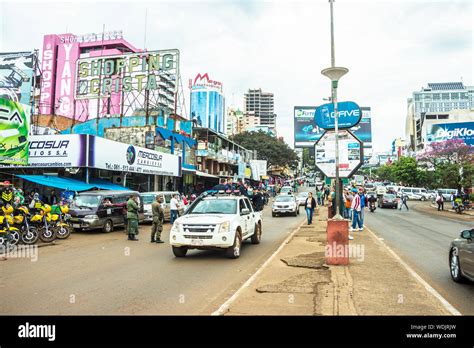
(461, 257)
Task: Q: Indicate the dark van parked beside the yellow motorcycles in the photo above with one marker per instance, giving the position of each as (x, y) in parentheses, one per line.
(102, 209)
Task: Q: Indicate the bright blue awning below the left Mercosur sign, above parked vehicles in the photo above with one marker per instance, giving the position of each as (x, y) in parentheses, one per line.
(72, 184)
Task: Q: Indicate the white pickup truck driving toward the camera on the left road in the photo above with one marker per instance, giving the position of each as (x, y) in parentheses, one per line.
(219, 222)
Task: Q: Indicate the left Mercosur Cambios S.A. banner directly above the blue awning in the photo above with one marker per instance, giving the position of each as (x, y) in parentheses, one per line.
(57, 151)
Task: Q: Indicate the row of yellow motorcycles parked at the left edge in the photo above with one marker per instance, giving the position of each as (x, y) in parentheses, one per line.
(19, 224)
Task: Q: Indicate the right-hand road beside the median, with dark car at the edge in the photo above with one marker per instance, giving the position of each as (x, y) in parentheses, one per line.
(422, 240)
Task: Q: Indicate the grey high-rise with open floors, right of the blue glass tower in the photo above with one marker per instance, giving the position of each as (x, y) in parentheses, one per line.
(261, 105)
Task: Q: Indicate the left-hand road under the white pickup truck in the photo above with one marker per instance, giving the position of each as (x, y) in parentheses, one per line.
(97, 273)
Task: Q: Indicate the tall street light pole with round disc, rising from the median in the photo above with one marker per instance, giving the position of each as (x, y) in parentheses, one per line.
(335, 73)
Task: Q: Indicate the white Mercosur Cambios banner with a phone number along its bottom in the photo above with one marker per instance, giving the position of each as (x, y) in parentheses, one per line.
(129, 158)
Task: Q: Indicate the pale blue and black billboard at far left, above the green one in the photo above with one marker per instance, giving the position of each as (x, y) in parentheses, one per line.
(16, 76)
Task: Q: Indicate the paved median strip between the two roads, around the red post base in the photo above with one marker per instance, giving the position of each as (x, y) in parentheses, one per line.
(297, 281)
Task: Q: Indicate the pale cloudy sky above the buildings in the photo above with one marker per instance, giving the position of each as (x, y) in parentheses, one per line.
(391, 48)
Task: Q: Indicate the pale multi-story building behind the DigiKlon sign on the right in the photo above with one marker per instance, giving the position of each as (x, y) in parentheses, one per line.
(439, 103)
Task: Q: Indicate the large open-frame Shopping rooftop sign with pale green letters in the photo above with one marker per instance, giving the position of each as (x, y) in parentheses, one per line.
(99, 77)
